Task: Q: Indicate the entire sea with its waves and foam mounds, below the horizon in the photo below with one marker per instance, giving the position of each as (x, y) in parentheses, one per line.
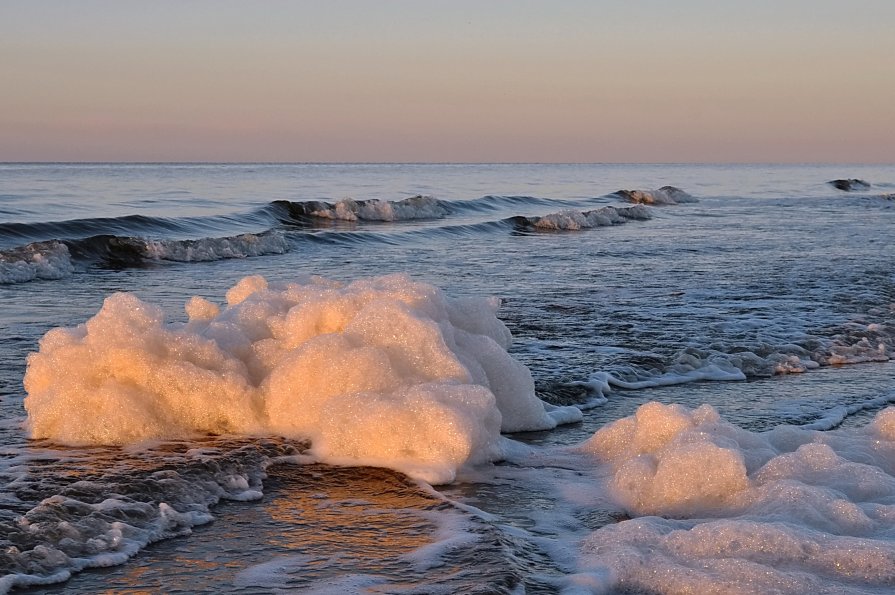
(446, 378)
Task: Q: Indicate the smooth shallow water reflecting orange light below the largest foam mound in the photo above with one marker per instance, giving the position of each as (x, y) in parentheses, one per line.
(318, 527)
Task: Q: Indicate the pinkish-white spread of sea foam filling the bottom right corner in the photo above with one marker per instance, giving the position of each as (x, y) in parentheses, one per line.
(784, 511)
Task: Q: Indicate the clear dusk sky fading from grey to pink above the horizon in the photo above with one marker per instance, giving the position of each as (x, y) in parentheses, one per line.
(448, 81)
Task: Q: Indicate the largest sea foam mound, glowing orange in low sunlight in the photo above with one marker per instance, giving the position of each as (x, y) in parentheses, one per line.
(382, 371)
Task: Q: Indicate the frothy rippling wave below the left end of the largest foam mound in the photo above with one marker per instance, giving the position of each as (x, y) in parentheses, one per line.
(122, 502)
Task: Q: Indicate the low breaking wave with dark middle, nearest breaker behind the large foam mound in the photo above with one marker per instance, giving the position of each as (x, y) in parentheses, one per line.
(56, 259)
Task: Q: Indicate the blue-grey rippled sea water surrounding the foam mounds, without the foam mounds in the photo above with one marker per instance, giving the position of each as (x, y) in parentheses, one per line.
(772, 270)
